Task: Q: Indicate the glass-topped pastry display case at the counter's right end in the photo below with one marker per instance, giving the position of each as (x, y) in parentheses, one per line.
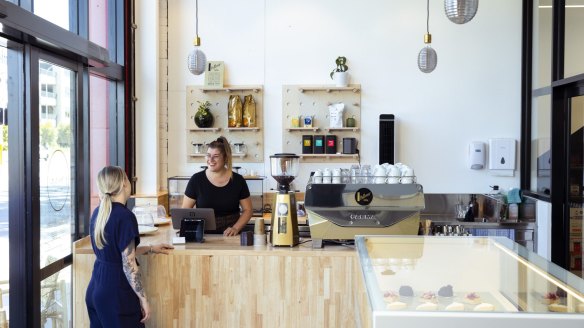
(419, 281)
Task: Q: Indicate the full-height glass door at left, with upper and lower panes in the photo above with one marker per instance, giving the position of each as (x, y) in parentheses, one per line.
(57, 166)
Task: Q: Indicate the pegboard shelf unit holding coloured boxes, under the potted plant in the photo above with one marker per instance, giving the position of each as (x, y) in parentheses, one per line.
(314, 100)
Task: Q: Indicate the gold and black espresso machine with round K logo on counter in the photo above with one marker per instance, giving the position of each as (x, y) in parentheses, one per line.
(340, 211)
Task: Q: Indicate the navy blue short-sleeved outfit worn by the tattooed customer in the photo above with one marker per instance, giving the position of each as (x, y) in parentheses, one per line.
(111, 301)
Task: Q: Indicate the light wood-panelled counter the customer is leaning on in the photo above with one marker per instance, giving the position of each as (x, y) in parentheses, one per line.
(219, 283)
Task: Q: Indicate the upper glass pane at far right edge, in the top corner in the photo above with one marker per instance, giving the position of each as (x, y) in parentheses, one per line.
(574, 44)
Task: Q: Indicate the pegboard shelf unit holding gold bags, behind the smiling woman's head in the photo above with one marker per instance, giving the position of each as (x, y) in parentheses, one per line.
(219, 97)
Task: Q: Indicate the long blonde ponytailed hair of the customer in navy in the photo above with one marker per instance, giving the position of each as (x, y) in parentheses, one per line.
(110, 181)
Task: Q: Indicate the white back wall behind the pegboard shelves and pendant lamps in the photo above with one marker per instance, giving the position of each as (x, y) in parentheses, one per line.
(474, 93)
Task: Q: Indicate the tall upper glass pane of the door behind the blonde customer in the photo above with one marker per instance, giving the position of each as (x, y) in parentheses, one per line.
(56, 160)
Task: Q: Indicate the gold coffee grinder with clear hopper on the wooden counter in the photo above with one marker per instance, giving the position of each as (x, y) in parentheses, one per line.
(284, 168)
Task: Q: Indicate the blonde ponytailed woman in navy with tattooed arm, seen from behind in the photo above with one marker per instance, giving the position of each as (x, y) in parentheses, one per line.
(115, 296)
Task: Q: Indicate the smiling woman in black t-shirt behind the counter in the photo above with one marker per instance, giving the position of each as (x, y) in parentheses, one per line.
(221, 189)
